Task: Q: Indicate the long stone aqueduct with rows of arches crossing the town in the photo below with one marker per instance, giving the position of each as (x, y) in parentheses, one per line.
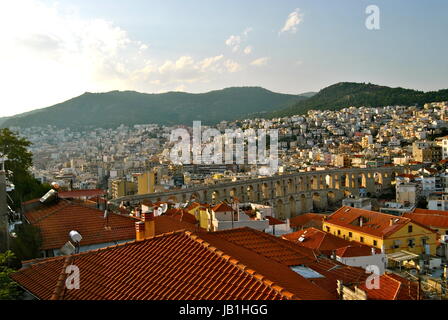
(291, 194)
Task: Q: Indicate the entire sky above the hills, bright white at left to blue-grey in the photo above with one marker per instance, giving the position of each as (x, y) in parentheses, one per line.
(53, 51)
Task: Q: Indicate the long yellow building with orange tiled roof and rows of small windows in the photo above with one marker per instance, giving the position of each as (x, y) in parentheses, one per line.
(381, 230)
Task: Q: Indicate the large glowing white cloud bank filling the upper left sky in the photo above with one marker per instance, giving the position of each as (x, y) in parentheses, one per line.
(64, 55)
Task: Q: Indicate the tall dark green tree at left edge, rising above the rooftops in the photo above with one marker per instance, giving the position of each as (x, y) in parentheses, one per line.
(19, 162)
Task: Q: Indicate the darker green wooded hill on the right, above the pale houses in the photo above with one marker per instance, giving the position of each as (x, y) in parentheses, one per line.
(346, 94)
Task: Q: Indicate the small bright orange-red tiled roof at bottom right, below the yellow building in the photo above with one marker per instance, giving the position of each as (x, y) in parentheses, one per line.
(393, 287)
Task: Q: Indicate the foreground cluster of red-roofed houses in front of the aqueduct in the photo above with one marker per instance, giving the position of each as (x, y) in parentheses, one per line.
(229, 251)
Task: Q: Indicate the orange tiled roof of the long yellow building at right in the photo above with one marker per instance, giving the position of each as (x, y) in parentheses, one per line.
(378, 224)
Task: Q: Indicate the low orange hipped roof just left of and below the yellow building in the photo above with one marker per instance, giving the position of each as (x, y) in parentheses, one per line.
(317, 240)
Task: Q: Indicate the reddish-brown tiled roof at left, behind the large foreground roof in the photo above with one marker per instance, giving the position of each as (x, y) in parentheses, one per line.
(56, 221)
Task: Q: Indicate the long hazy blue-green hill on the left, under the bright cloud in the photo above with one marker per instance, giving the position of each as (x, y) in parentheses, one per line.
(129, 108)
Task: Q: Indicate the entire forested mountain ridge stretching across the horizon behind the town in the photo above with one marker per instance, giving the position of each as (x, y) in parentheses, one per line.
(111, 109)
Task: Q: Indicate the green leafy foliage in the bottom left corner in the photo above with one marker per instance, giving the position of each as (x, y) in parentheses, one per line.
(8, 289)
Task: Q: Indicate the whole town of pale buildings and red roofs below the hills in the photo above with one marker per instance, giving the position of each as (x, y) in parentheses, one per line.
(358, 210)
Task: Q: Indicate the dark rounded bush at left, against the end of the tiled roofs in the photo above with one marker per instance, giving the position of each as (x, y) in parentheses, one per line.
(28, 242)
